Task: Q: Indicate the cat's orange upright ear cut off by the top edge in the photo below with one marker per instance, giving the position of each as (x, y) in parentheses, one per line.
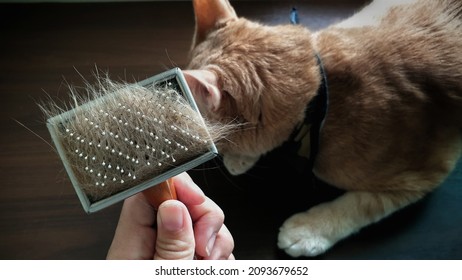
(209, 14)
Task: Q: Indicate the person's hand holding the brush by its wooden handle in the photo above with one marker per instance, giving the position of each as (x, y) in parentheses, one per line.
(187, 228)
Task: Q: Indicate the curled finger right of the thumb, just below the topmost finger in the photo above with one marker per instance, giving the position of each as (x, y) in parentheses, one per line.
(208, 219)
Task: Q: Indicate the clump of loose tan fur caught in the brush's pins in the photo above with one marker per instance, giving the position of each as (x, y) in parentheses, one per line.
(122, 134)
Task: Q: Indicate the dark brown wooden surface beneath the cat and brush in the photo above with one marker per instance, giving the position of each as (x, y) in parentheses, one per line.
(45, 46)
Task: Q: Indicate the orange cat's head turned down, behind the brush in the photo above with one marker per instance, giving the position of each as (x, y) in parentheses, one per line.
(257, 75)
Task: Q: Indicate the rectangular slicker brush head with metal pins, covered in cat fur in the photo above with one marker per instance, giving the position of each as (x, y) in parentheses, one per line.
(124, 138)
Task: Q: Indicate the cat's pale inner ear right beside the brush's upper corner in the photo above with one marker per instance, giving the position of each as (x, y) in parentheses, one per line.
(204, 87)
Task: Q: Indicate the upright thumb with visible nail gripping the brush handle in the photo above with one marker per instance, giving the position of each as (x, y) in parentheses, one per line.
(175, 235)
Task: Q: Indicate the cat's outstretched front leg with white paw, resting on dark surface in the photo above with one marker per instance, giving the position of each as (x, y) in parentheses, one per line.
(313, 232)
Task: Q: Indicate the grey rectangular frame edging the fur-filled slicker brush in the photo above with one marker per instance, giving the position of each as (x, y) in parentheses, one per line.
(174, 75)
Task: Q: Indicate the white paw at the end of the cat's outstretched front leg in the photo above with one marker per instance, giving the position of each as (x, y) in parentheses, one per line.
(298, 237)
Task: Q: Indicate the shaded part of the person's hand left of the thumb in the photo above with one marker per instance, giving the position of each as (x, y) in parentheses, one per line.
(134, 236)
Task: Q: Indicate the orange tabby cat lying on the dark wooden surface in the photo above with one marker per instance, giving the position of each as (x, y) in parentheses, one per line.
(392, 132)
